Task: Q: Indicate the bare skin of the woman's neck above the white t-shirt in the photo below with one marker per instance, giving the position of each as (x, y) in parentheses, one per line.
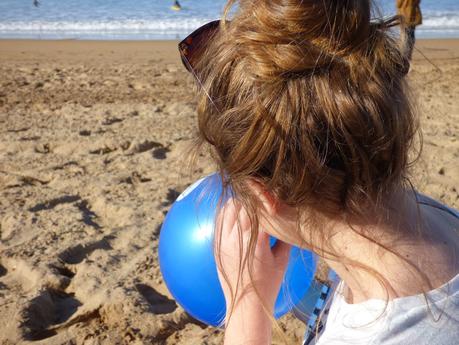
(396, 258)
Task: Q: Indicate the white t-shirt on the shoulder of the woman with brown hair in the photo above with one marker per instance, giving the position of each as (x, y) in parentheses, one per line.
(407, 320)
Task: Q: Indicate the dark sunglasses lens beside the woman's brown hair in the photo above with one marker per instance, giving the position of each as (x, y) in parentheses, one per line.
(194, 45)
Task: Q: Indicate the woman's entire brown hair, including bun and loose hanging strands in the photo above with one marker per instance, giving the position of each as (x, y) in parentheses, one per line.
(309, 98)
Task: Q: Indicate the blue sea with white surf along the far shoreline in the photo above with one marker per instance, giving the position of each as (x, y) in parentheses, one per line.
(154, 19)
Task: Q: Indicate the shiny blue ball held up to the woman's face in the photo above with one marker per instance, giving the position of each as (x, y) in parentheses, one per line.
(187, 260)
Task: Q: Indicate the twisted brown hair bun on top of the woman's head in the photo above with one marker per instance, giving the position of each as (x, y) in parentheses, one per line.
(285, 37)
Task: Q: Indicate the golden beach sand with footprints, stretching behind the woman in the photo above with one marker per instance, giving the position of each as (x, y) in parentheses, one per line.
(94, 137)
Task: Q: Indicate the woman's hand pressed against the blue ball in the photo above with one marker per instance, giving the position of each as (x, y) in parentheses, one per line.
(268, 266)
